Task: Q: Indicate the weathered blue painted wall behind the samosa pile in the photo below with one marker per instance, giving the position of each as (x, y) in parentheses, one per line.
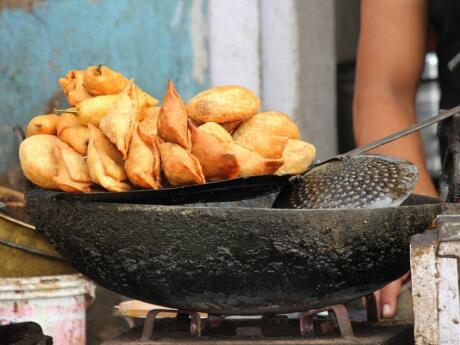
(148, 40)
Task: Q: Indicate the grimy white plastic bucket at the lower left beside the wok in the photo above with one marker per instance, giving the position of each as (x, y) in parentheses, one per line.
(57, 303)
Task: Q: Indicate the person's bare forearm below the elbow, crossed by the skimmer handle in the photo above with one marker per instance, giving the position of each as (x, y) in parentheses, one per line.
(377, 114)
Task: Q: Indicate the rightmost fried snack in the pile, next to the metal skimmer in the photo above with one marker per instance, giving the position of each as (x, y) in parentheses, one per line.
(297, 157)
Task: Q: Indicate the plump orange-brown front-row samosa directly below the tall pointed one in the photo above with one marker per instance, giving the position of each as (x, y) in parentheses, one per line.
(180, 166)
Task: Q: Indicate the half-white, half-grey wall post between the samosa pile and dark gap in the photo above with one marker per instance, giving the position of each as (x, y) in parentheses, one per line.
(299, 67)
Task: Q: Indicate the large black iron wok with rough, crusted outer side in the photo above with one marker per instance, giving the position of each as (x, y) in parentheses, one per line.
(232, 260)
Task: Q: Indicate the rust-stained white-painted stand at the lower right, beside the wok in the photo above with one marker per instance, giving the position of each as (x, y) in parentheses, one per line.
(435, 281)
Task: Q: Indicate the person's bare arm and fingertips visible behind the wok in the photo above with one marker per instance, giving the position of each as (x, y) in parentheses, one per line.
(391, 51)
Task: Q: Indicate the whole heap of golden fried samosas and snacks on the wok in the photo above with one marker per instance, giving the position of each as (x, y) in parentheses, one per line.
(116, 136)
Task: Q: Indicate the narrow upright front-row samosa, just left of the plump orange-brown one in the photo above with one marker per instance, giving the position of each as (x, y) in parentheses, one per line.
(143, 163)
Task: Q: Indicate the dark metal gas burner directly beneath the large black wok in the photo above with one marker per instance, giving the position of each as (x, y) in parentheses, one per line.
(329, 325)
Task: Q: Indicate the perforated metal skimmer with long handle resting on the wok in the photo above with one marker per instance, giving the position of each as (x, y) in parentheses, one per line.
(355, 180)
